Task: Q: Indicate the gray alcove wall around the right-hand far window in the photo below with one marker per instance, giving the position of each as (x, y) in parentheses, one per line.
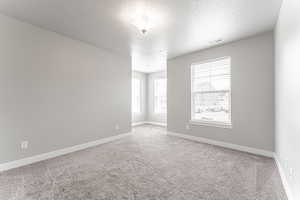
(152, 116)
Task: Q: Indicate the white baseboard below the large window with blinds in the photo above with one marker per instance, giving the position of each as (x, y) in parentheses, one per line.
(225, 144)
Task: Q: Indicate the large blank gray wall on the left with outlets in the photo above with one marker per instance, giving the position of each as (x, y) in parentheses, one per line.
(57, 92)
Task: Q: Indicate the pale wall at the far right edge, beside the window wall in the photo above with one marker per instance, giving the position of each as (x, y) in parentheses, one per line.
(288, 92)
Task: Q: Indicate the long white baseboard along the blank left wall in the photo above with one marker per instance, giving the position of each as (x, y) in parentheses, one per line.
(45, 156)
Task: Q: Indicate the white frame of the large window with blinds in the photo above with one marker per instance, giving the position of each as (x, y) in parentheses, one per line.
(209, 122)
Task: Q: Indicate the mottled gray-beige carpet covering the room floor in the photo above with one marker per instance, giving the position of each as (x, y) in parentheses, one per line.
(149, 165)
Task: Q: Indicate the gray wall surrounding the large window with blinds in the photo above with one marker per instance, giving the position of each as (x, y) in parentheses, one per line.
(252, 66)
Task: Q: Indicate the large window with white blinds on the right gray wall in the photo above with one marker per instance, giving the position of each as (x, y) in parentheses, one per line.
(211, 92)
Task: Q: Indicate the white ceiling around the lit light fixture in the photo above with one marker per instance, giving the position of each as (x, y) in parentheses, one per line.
(179, 26)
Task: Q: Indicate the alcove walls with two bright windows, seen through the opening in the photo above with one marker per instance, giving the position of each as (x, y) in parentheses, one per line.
(149, 98)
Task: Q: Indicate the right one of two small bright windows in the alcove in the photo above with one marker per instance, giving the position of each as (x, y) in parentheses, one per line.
(160, 96)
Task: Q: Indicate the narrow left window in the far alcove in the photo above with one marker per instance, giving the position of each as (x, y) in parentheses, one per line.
(136, 95)
